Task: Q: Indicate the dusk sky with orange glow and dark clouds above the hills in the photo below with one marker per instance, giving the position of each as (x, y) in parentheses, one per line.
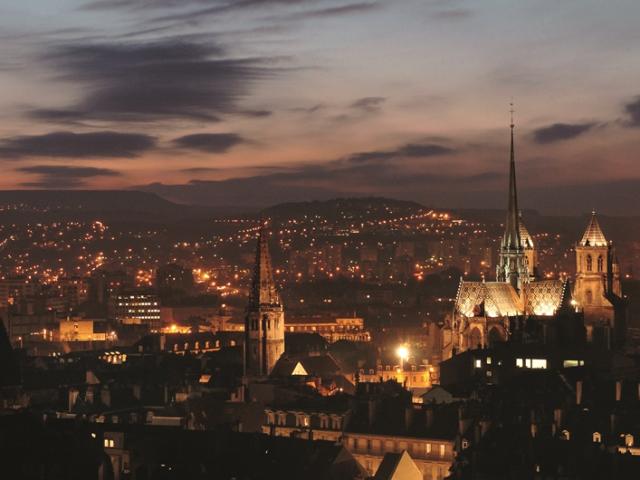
(253, 102)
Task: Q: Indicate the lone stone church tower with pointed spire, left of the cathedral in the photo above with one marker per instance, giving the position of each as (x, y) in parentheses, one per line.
(264, 320)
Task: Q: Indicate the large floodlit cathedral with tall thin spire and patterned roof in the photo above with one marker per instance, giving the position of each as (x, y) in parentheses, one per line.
(519, 306)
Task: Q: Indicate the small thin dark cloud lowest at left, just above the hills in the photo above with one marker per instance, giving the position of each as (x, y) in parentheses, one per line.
(61, 176)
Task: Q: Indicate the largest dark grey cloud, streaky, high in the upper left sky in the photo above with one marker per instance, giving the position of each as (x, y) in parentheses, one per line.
(145, 81)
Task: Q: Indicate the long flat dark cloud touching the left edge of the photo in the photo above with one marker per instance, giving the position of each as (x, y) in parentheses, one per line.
(77, 145)
